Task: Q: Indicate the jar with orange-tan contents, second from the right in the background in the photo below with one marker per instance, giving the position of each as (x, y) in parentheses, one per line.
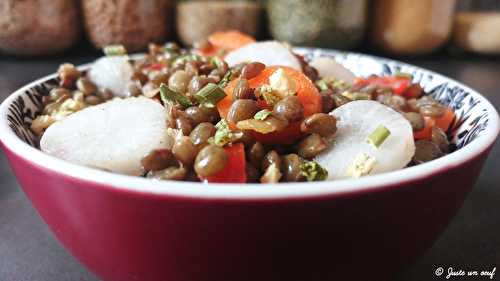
(410, 27)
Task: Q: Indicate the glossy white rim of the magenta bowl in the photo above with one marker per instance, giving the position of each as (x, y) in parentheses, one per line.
(252, 191)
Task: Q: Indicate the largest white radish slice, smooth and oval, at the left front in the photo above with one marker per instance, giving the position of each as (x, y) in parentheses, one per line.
(113, 136)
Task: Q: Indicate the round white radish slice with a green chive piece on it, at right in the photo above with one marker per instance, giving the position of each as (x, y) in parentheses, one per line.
(355, 122)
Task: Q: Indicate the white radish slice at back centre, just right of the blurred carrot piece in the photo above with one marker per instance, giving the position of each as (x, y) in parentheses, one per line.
(267, 52)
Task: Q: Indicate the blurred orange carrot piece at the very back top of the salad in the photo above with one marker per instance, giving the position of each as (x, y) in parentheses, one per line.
(226, 41)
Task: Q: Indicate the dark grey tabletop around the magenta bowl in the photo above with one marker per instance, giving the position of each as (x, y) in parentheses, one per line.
(29, 252)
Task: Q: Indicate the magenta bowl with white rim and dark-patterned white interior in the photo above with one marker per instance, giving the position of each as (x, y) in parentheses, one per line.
(131, 228)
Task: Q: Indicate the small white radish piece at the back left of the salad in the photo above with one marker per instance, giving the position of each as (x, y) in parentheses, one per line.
(113, 73)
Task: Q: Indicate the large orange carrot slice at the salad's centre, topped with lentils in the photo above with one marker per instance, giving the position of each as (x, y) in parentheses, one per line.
(306, 92)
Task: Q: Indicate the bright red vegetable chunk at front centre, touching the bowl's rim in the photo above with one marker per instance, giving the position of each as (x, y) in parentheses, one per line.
(234, 171)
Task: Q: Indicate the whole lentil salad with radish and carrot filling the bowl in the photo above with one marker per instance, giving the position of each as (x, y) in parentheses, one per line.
(238, 111)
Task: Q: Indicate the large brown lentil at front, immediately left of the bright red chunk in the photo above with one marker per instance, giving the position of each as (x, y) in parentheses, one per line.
(210, 160)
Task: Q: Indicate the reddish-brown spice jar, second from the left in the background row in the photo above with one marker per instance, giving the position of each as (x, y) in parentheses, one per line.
(133, 23)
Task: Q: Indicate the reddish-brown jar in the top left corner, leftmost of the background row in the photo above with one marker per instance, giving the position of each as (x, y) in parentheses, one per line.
(38, 27)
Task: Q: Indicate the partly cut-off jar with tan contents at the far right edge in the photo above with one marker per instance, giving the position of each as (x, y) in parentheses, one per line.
(477, 26)
